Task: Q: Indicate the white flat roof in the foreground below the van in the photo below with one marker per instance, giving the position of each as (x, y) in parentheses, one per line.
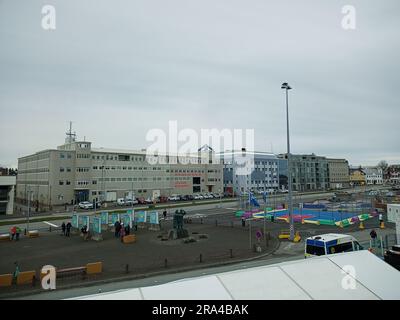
(318, 278)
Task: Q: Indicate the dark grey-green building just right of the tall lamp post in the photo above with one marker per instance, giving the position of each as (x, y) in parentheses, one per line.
(309, 172)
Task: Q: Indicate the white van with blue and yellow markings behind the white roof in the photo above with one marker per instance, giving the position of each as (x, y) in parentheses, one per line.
(330, 243)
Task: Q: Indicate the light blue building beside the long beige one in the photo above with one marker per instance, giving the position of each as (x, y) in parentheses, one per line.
(250, 171)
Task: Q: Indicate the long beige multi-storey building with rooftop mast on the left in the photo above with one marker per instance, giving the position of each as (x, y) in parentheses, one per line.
(77, 172)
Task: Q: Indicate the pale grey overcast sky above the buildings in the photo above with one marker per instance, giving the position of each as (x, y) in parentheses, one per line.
(120, 68)
